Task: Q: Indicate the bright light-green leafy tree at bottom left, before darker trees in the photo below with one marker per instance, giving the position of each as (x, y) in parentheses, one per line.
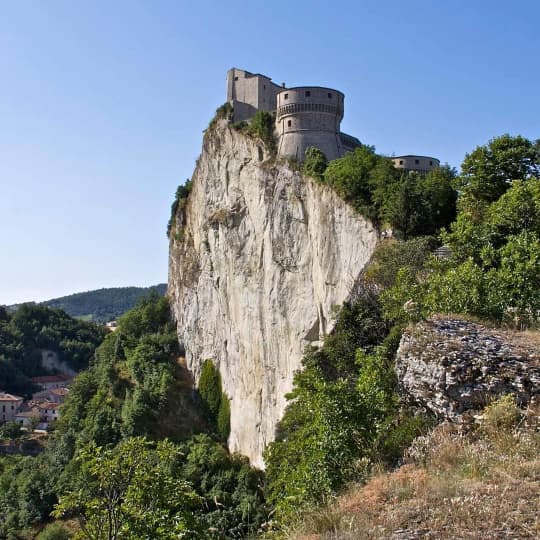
(131, 491)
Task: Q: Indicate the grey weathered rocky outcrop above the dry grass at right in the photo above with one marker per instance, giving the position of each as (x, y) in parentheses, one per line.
(453, 367)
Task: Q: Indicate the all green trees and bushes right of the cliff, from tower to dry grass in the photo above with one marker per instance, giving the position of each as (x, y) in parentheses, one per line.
(344, 414)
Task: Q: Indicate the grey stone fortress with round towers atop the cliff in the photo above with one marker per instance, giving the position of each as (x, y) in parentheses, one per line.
(305, 116)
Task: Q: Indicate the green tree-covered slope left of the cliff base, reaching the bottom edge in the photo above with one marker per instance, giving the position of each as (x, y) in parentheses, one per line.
(126, 454)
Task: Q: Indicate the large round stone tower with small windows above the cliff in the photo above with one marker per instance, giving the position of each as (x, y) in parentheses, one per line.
(309, 116)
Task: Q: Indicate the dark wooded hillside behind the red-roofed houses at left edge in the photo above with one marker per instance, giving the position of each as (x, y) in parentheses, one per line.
(32, 328)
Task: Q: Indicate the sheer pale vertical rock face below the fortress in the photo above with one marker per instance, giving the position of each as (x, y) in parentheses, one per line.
(260, 257)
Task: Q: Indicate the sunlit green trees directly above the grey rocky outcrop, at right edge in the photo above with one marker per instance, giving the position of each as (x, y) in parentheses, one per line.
(495, 245)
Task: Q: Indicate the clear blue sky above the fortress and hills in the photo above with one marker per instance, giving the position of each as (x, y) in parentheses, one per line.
(103, 103)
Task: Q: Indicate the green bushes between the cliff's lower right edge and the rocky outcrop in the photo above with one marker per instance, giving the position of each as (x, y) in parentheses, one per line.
(339, 401)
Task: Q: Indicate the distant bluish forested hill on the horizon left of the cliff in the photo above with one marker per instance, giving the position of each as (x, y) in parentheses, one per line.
(103, 305)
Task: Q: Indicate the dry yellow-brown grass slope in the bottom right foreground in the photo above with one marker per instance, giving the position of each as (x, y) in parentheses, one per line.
(484, 485)
